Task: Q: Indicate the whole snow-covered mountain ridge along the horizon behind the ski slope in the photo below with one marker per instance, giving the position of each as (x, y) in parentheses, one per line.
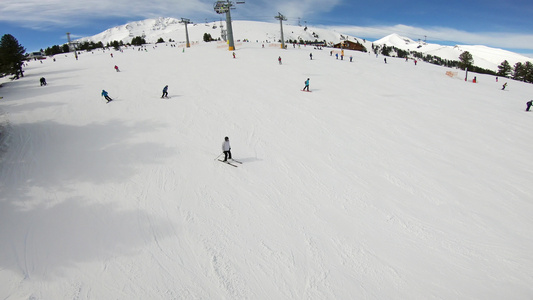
(171, 28)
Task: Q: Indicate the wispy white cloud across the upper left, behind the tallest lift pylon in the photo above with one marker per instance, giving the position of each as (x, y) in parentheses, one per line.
(56, 13)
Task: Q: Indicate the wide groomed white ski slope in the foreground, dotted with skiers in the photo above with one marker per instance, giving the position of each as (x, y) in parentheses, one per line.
(388, 181)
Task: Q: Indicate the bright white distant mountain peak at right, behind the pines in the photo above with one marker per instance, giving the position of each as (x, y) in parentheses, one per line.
(484, 57)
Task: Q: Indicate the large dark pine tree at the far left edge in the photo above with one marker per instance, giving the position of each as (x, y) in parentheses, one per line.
(11, 56)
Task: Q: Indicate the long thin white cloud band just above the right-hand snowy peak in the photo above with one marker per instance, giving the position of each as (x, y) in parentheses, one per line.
(444, 35)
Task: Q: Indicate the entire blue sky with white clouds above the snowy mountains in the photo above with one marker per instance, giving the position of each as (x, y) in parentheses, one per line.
(501, 24)
